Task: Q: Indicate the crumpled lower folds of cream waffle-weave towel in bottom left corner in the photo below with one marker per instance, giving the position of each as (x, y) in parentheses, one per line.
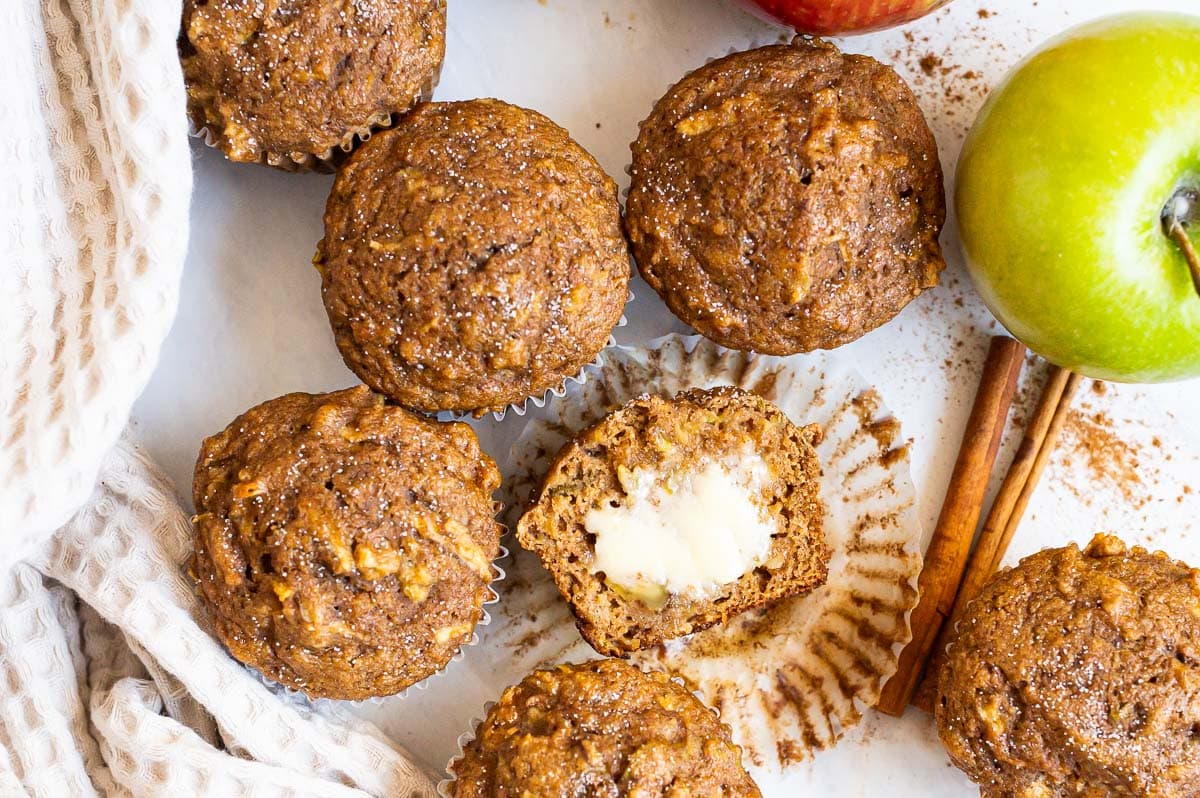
(110, 687)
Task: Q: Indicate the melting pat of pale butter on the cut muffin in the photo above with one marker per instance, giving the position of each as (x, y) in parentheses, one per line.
(689, 536)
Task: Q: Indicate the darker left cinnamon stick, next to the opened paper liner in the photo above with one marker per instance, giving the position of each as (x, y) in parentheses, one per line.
(951, 544)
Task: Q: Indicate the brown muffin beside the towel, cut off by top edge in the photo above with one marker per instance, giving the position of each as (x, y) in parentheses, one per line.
(290, 81)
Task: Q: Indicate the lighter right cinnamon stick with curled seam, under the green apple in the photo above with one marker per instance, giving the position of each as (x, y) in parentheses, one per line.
(1033, 455)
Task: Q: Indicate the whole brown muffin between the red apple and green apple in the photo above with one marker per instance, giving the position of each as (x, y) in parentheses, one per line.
(788, 199)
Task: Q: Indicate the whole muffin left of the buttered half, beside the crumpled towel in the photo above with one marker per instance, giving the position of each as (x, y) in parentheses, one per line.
(344, 548)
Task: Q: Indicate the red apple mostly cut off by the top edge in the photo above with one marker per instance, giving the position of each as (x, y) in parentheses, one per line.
(842, 17)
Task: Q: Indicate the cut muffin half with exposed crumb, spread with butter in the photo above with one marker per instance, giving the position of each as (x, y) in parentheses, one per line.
(670, 517)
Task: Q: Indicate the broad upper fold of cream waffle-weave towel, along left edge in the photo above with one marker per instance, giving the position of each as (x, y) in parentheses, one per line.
(93, 233)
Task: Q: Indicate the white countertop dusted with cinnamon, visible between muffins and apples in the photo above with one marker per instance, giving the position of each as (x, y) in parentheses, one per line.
(251, 325)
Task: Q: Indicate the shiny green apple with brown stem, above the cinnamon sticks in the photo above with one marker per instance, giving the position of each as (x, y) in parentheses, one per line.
(1079, 200)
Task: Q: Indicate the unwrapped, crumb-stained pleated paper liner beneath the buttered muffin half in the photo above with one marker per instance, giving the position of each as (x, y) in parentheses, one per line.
(793, 679)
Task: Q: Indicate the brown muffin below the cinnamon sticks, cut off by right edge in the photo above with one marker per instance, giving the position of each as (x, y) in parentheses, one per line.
(1077, 675)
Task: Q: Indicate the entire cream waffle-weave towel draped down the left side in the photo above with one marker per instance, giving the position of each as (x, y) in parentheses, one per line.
(107, 683)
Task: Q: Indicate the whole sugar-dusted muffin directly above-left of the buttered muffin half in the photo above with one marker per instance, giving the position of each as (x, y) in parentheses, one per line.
(473, 257)
